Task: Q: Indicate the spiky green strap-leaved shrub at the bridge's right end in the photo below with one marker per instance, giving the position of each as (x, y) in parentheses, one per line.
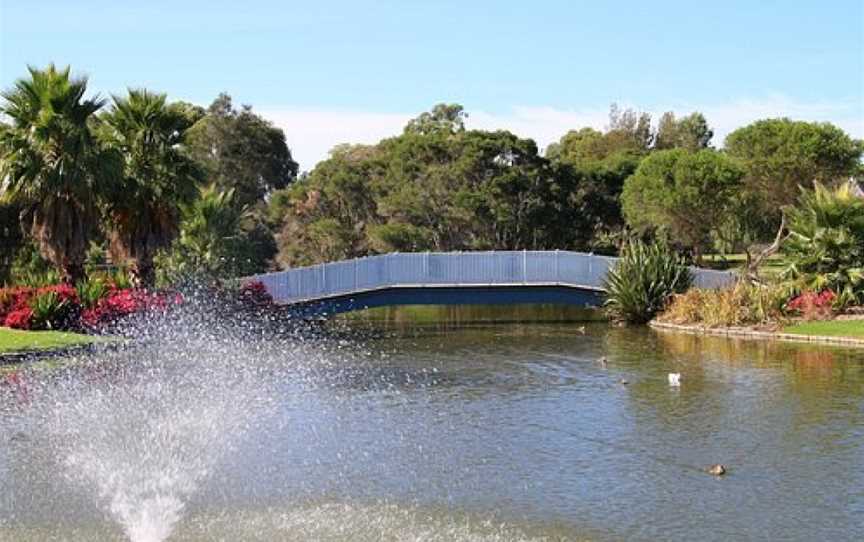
(643, 280)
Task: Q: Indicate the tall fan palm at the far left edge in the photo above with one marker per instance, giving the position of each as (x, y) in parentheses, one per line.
(52, 166)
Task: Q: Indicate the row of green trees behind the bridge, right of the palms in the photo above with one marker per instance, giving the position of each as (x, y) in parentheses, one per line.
(439, 186)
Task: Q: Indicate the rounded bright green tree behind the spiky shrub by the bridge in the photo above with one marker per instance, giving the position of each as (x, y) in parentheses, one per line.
(686, 195)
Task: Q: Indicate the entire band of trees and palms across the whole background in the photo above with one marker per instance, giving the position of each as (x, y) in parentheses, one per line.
(169, 189)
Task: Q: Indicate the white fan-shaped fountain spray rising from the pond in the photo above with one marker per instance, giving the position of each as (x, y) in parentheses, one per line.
(143, 440)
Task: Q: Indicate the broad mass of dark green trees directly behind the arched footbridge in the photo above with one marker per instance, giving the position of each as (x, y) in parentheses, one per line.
(435, 187)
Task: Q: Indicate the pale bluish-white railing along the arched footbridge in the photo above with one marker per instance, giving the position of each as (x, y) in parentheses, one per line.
(452, 269)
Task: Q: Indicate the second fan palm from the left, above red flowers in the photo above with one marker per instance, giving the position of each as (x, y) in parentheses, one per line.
(145, 214)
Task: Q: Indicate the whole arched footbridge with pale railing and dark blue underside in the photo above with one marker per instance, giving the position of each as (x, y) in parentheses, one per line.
(452, 278)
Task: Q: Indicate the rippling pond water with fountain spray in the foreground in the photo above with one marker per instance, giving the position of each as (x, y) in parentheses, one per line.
(456, 430)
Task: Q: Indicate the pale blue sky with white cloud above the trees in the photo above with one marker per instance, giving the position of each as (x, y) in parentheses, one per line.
(401, 57)
